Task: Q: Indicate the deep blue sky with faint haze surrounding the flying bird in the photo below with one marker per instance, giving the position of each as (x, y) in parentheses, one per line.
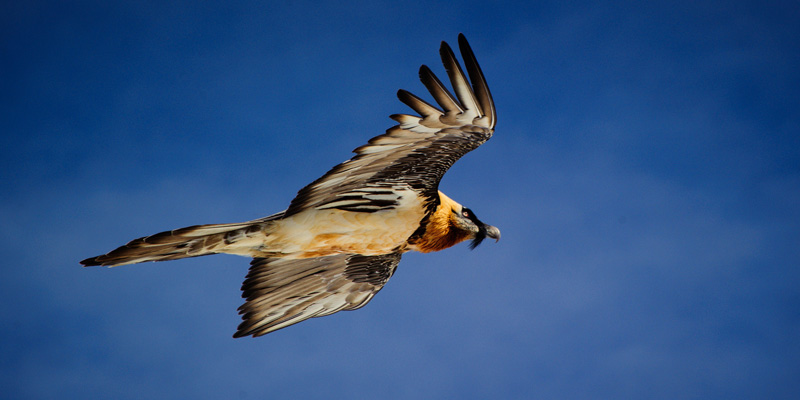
(645, 174)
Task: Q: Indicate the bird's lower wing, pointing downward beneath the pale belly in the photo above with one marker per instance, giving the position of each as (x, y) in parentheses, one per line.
(281, 292)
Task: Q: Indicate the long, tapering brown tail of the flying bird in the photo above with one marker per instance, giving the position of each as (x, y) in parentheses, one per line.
(192, 241)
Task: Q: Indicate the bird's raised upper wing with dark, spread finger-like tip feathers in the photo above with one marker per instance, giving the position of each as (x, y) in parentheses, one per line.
(416, 152)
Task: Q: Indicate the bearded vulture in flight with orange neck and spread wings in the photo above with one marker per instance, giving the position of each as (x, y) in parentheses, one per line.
(341, 238)
